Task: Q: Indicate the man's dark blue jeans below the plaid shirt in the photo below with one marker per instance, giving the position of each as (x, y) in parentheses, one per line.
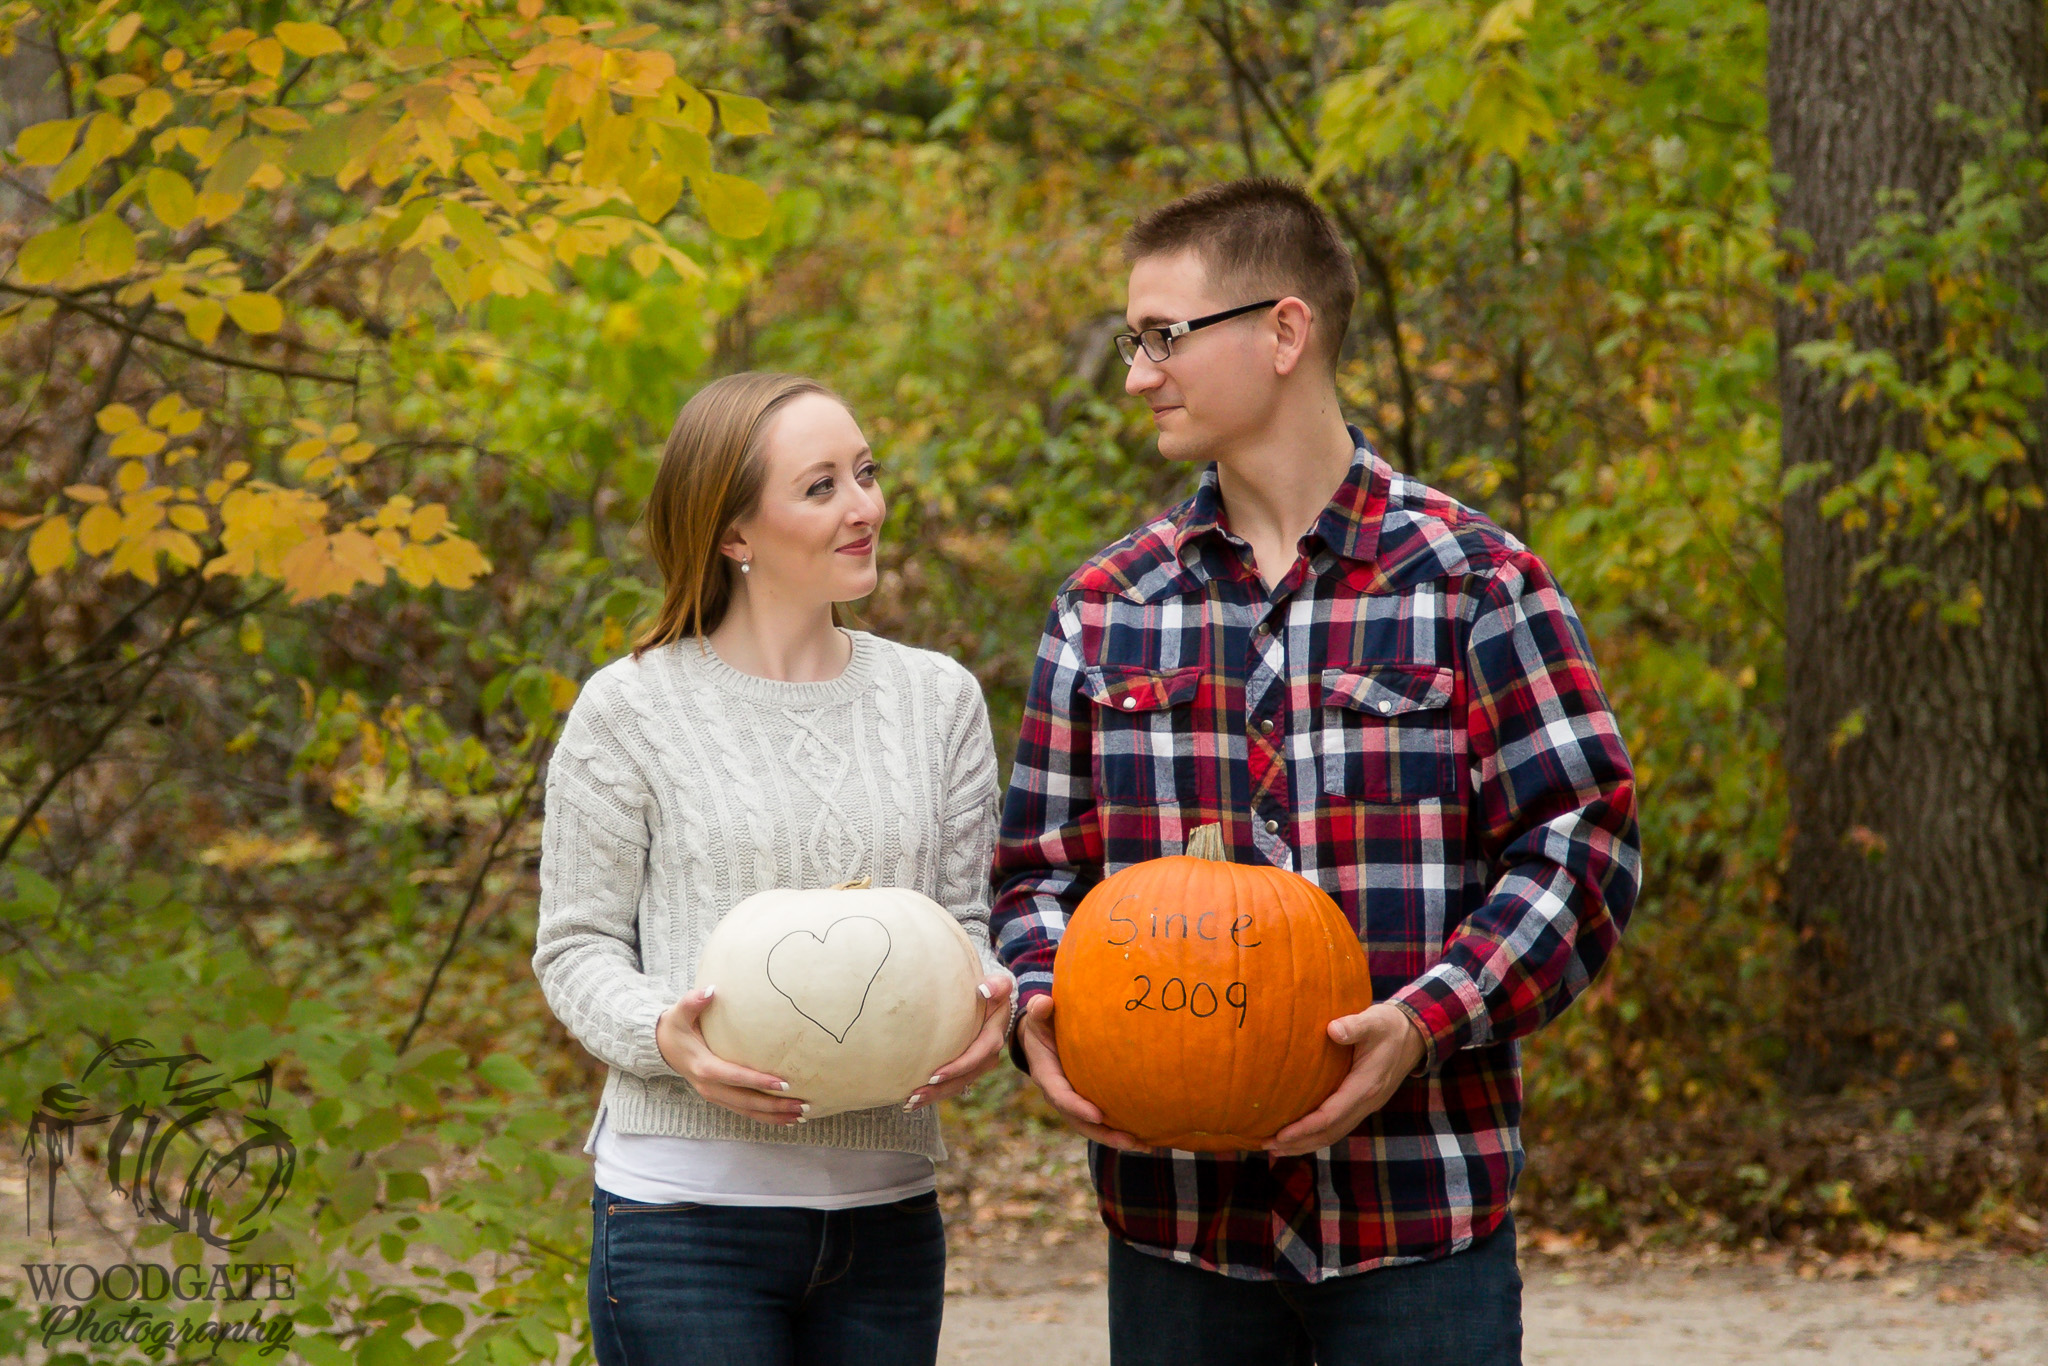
(1463, 1310)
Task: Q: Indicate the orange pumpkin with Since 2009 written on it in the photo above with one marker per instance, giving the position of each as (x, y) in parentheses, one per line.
(1193, 996)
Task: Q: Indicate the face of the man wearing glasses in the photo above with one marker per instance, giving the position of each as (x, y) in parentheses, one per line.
(1220, 386)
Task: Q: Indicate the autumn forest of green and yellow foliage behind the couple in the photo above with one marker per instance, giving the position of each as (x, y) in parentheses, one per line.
(339, 345)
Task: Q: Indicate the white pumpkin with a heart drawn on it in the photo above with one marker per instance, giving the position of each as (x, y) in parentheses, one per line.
(853, 994)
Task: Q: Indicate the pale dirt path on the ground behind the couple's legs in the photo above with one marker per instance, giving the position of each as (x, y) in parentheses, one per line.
(1590, 1312)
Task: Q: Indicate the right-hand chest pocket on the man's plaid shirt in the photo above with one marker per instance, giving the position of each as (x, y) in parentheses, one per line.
(1388, 732)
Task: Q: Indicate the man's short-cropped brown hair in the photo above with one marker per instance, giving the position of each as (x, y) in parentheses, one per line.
(1261, 234)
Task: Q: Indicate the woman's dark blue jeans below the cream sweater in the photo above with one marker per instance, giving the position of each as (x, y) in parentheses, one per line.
(742, 1285)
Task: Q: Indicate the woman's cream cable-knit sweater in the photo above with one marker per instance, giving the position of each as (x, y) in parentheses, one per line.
(683, 785)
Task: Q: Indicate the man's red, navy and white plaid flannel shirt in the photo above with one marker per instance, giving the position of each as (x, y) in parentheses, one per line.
(1410, 720)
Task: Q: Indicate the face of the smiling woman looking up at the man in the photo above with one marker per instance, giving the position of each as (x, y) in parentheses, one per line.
(814, 536)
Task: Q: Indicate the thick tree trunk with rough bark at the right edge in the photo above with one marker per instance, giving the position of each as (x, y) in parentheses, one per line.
(1920, 847)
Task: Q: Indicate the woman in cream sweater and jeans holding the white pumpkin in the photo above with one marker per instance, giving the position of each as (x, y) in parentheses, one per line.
(751, 742)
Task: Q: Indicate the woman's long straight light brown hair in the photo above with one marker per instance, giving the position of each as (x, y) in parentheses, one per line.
(712, 476)
